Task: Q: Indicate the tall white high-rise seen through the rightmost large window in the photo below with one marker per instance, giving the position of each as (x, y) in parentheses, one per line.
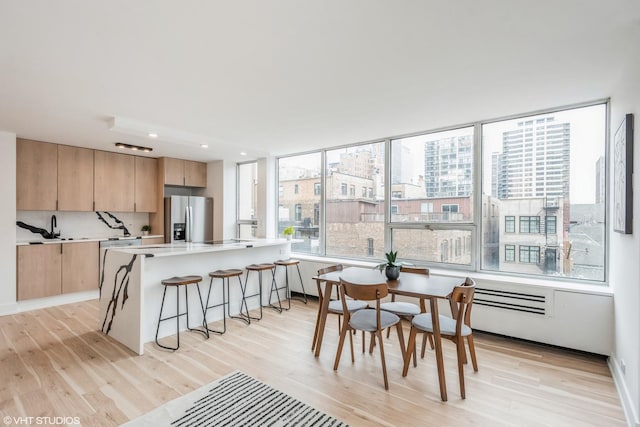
(534, 160)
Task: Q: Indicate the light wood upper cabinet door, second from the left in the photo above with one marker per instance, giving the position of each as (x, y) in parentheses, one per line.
(75, 178)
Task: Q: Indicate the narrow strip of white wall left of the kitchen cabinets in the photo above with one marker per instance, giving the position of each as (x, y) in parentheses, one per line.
(8, 221)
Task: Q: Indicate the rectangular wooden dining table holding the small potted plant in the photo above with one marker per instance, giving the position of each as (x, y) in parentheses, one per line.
(423, 287)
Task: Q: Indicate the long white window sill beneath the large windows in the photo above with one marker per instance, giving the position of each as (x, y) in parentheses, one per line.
(585, 288)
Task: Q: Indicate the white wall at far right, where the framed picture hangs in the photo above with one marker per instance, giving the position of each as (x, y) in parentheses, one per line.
(625, 249)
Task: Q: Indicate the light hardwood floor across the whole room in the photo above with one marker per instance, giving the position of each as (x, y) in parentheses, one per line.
(53, 362)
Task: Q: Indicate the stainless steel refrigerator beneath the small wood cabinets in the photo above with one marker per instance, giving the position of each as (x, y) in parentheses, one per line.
(188, 219)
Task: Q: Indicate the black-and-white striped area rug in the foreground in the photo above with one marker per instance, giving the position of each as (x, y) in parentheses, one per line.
(236, 400)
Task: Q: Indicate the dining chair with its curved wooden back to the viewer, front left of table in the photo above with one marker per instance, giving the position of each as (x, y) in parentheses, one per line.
(372, 320)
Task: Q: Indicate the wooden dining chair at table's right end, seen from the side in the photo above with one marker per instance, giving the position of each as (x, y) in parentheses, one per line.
(455, 328)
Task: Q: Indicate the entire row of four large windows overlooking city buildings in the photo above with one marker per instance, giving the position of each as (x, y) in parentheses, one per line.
(537, 209)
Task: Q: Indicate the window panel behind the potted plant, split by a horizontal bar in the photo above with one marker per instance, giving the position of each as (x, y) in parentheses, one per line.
(432, 190)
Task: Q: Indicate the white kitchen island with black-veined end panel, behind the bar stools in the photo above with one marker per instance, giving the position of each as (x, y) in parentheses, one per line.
(131, 292)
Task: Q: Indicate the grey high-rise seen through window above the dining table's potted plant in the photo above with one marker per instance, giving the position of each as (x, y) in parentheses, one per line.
(449, 166)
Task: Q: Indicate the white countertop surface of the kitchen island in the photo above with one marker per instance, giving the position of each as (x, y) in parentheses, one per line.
(173, 249)
